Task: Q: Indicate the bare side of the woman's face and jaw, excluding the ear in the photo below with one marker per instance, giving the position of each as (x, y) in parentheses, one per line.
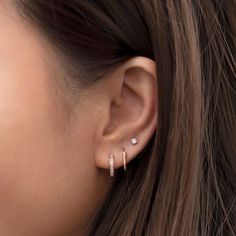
(48, 180)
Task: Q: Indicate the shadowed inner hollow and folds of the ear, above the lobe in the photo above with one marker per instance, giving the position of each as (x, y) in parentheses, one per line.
(136, 102)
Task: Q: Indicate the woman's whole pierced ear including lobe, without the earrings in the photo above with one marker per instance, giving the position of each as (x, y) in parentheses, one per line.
(130, 110)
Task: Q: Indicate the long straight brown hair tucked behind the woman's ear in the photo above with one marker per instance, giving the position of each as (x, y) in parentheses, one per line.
(184, 181)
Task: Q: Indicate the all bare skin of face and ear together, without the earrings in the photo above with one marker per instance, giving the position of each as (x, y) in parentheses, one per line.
(54, 169)
